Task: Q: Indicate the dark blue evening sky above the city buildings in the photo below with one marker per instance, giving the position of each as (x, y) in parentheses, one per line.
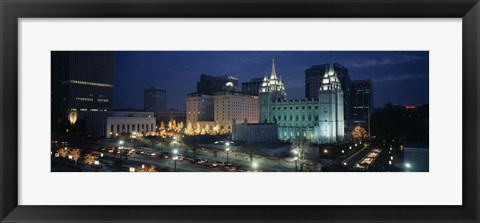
(399, 77)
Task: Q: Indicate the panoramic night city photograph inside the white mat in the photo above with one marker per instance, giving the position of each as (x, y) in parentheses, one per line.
(239, 111)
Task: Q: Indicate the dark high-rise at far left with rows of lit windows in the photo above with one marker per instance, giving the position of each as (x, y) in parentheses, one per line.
(82, 86)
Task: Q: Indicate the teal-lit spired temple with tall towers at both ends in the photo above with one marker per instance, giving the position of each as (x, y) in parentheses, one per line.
(318, 120)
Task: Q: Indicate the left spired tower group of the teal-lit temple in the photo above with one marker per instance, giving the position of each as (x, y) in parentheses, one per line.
(272, 89)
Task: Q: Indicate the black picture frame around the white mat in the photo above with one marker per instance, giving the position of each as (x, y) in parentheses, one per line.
(11, 11)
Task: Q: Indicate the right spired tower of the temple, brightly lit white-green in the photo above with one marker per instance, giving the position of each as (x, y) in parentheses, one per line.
(331, 128)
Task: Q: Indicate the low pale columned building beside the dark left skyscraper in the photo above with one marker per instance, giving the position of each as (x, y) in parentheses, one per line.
(122, 122)
